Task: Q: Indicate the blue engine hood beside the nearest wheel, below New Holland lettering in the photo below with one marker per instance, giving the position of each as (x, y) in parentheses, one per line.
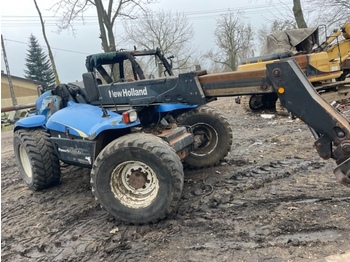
(85, 120)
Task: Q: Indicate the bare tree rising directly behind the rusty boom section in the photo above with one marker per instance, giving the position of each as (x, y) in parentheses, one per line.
(234, 40)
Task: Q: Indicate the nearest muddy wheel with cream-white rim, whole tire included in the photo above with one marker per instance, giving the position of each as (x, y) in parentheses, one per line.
(138, 178)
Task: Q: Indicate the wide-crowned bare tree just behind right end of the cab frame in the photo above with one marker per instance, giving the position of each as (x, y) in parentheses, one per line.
(171, 32)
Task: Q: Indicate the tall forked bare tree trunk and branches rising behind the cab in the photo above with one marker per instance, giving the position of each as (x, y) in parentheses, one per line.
(107, 13)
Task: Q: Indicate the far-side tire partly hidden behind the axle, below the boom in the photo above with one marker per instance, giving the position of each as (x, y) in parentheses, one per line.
(212, 133)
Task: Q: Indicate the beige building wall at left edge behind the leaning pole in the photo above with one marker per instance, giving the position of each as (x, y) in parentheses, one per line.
(26, 91)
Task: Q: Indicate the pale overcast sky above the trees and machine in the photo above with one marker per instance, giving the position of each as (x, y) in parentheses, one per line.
(19, 19)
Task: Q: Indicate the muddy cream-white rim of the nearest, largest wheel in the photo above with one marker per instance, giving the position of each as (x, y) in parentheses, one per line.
(134, 184)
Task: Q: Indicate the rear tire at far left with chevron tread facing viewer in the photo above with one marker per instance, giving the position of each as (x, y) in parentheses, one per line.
(37, 159)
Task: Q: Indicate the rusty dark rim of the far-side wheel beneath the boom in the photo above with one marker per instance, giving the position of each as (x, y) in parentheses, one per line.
(205, 139)
